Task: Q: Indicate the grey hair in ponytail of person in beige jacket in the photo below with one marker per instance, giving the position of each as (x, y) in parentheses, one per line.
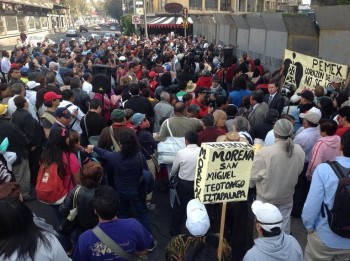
(283, 130)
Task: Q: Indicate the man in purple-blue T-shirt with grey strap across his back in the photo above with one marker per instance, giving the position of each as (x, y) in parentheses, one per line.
(129, 234)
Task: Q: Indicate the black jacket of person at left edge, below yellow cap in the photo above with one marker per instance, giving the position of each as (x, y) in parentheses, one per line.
(18, 141)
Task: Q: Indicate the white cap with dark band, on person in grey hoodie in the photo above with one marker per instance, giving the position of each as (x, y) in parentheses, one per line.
(267, 215)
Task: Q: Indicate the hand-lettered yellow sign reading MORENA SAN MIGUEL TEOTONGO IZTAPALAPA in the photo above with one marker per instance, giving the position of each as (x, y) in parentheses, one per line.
(223, 172)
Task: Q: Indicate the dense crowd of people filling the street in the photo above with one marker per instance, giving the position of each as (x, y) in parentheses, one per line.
(97, 110)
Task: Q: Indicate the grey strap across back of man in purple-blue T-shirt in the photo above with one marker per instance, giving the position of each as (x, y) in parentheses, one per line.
(115, 247)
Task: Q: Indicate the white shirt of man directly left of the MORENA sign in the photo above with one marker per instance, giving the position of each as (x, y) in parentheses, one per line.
(185, 162)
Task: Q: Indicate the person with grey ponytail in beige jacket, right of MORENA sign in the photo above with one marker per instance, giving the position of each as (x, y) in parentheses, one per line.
(275, 181)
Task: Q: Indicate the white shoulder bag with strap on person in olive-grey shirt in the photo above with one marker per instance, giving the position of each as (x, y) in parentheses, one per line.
(167, 149)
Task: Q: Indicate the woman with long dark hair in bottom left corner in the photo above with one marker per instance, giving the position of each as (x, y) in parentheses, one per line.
(20, 238)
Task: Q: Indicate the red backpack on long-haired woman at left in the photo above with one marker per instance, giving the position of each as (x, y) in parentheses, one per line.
(49, 185)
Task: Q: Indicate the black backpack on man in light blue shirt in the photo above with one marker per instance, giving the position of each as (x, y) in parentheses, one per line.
(339, 215)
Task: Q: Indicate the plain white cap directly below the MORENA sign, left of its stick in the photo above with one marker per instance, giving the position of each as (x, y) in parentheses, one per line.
(197, 221)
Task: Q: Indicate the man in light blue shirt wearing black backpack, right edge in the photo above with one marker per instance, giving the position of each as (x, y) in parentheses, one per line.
(322, 242)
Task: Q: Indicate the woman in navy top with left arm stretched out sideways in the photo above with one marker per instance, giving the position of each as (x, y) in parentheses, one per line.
(128, 164)
